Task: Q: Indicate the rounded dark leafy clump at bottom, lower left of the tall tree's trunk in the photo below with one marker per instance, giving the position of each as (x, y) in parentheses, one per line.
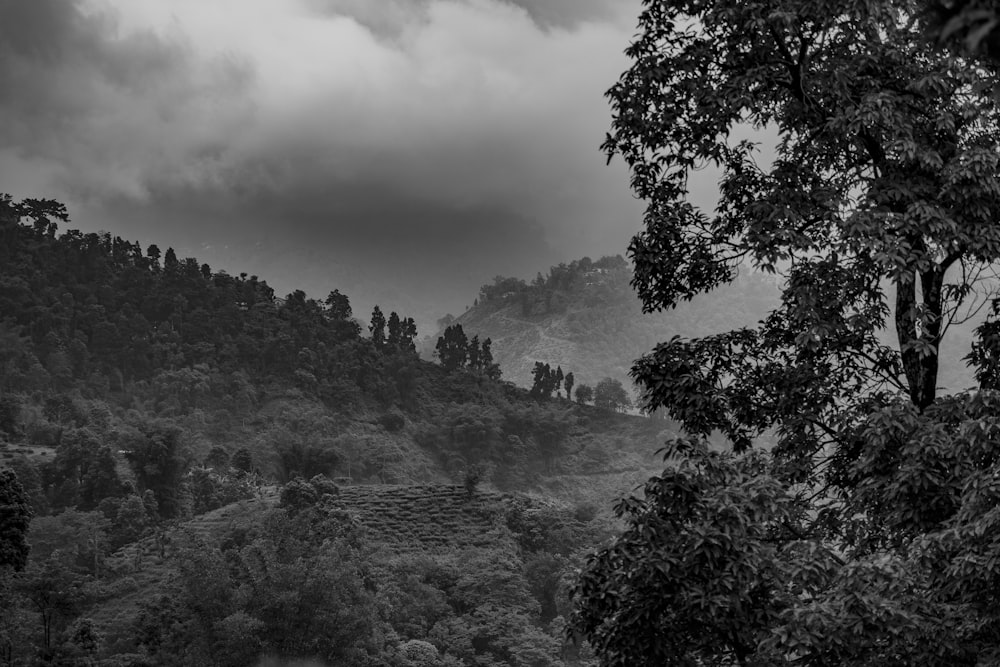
(720, 513)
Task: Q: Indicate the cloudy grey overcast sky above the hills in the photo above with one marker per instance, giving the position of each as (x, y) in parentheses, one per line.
(402, 151)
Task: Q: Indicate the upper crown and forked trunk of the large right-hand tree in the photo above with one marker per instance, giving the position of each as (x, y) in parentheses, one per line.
(885, 171)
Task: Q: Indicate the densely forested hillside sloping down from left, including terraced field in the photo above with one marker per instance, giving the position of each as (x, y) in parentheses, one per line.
(184, 456)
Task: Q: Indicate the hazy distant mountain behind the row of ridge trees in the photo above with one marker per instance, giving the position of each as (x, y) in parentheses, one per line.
(585, 318)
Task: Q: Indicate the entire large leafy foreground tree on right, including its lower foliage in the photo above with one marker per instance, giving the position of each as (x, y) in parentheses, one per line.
(855, 530)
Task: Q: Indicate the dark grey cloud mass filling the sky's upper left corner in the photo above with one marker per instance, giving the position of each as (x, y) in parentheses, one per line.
(90, 111)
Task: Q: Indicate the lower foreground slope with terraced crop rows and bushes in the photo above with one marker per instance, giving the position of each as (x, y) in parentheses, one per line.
(358, 575)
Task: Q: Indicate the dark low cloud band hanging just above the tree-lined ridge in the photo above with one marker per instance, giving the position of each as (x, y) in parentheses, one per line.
(416, 256)
